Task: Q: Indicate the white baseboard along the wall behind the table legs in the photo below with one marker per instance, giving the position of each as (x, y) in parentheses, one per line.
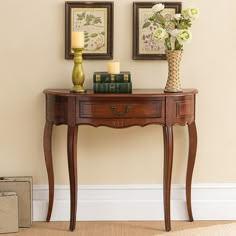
(136, 202)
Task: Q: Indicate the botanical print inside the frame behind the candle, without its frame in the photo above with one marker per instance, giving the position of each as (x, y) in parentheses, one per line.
(93, 21)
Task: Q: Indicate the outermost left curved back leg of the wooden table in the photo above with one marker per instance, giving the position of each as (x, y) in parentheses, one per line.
(47, 145)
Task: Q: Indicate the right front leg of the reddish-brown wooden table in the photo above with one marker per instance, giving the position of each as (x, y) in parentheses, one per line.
(168, 160)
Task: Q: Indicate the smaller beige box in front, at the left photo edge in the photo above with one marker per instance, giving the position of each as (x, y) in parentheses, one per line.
(8, 212)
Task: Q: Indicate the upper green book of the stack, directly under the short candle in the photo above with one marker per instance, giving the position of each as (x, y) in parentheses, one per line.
(104, 77)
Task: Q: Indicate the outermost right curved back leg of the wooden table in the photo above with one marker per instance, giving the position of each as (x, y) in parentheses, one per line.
(191, 160)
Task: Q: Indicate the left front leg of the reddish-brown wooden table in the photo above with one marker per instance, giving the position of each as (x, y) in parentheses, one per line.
(72, 165)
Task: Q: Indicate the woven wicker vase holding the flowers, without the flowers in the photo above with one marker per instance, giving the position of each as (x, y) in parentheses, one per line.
(173, 82)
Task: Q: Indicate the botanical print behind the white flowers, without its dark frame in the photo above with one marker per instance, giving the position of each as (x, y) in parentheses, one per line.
(147, 44)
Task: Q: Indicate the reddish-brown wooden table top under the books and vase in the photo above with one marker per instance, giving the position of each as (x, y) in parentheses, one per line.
(135, 92)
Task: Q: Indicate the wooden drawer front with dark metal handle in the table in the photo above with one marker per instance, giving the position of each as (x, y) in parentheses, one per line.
(124, 109)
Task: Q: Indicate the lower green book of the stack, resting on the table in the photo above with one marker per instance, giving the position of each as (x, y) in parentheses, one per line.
(112, 87)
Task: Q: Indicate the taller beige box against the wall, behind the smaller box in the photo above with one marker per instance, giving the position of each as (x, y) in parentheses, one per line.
(23, 188)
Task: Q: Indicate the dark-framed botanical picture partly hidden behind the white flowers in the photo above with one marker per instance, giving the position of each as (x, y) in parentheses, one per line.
(144, 46)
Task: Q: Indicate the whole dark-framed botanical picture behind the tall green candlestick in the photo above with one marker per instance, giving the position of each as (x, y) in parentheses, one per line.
(96, 20)
